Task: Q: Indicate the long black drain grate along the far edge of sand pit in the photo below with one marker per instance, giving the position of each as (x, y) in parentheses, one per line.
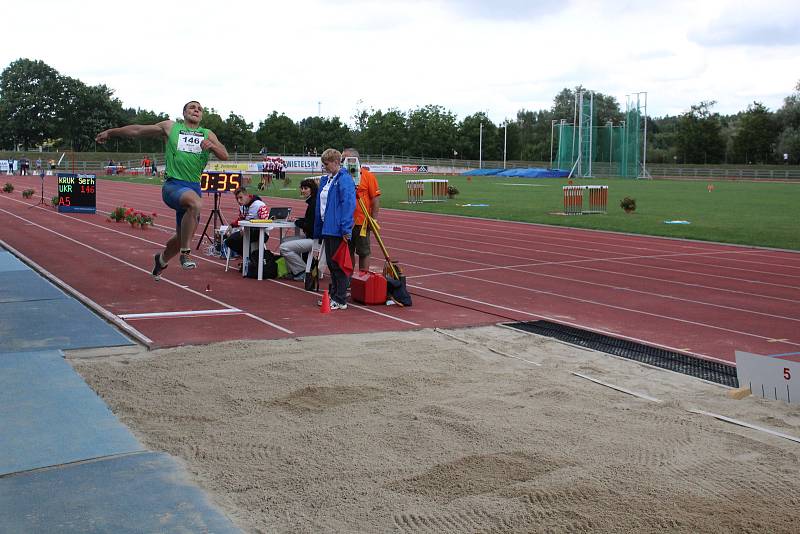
(665, 359)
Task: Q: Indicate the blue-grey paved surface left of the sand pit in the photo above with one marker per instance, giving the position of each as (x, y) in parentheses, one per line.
(67, 464)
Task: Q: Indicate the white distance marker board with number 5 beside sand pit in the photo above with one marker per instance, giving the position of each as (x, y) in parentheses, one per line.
(769, 376)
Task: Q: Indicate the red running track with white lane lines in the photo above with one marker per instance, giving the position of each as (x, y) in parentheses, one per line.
(703, 299)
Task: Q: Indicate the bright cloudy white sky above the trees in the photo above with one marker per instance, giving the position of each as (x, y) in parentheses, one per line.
(301, 57)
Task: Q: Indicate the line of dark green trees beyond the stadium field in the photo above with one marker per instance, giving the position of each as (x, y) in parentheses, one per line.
(41, 107)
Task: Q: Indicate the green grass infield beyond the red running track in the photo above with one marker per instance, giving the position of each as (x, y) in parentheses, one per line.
(763, 214)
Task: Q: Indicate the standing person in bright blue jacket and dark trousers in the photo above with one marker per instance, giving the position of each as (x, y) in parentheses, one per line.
(336, 202)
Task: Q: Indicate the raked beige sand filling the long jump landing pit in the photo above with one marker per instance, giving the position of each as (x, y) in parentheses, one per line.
(419, 432)
